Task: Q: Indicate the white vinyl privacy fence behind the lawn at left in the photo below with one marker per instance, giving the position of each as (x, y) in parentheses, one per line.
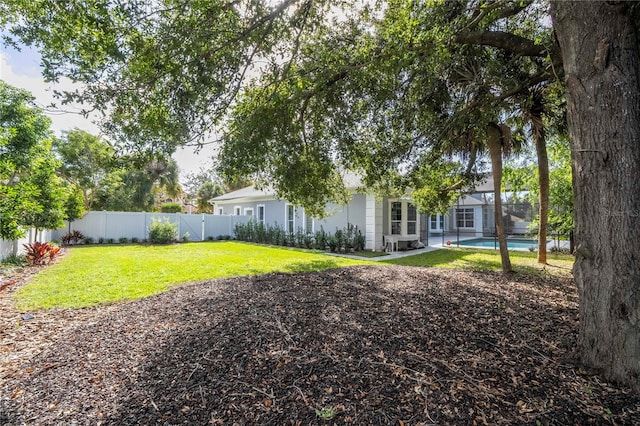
(116, 225)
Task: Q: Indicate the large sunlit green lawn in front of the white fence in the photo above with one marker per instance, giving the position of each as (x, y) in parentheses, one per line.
(94, 275)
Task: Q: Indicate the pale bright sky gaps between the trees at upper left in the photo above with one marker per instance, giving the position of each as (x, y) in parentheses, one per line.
(22, 69)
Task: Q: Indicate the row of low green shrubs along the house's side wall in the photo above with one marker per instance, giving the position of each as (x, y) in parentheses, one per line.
(343, 240)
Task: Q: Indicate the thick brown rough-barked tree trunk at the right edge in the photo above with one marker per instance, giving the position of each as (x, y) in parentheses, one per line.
(600, 51)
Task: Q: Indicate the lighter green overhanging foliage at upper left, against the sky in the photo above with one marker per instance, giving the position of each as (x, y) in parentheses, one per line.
(165, 70)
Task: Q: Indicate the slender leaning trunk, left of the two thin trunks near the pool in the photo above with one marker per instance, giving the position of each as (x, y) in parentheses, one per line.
(494, 141)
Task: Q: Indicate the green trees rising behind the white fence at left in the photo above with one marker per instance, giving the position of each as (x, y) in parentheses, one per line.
(45, 180)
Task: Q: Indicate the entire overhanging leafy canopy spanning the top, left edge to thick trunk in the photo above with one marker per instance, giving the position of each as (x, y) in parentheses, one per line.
(382, 87)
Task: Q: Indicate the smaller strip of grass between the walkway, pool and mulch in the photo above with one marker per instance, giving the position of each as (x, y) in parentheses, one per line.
(488, 260)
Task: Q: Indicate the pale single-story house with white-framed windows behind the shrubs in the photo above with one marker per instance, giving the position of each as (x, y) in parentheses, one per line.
(386, 223)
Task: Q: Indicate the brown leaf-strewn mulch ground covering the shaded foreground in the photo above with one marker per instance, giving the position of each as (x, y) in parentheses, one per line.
(366, 345)
